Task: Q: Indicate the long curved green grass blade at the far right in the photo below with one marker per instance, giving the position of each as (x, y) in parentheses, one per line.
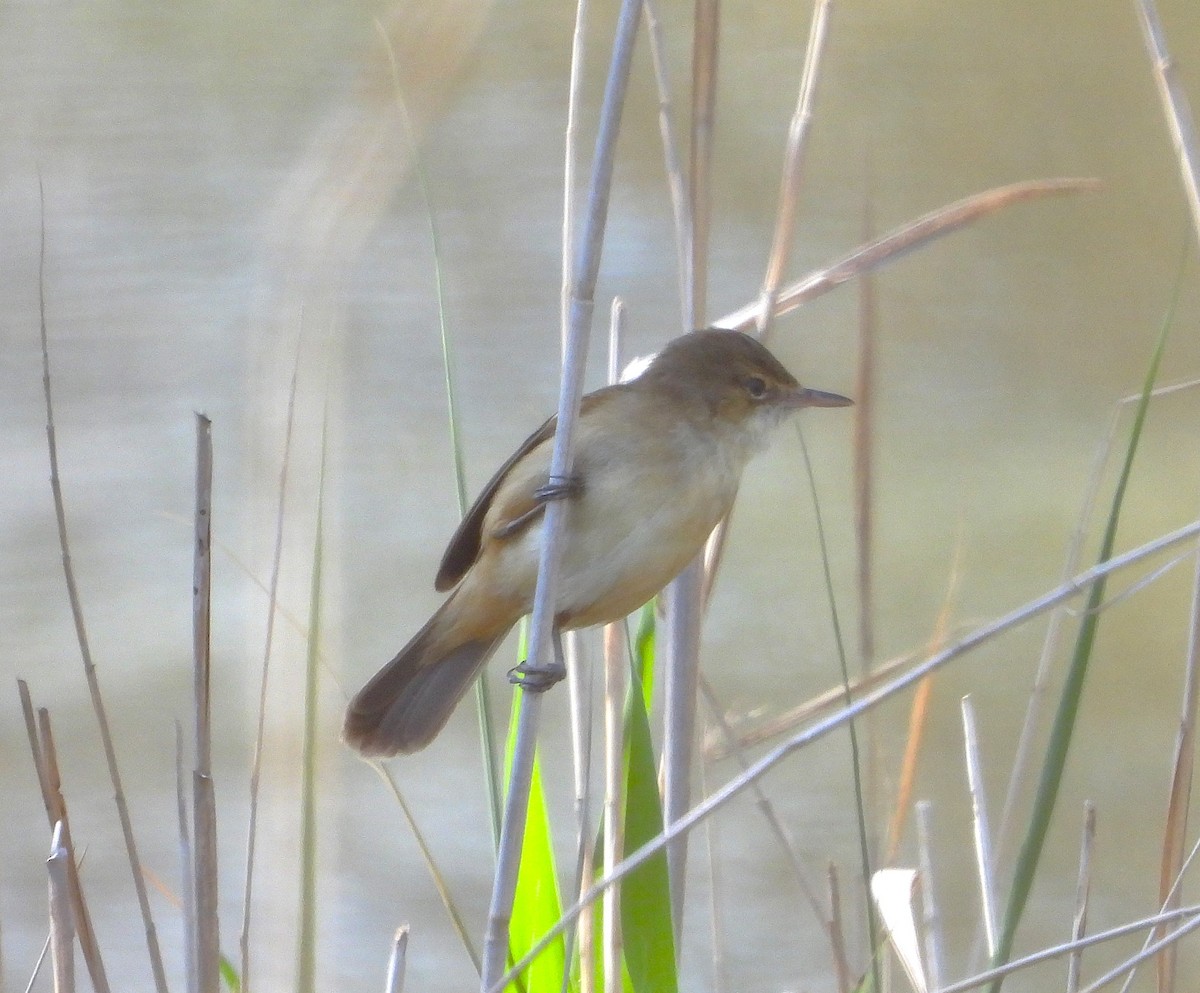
(1072, 693)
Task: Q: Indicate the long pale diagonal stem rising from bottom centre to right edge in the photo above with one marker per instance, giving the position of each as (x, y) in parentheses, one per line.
(981, 636)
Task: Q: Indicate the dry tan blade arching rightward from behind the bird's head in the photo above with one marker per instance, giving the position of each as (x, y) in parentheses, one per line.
(902, 240)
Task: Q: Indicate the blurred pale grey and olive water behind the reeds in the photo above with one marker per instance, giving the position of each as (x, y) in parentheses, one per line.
(220, 176)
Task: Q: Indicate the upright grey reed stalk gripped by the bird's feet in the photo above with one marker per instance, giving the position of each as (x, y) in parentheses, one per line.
(584, 280)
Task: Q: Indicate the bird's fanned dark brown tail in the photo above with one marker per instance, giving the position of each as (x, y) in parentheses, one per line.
(410, 700)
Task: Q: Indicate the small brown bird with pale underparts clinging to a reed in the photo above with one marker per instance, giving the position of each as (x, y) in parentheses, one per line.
(658, 462)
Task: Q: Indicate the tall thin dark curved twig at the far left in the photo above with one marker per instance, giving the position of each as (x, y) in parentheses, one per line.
(89, 667)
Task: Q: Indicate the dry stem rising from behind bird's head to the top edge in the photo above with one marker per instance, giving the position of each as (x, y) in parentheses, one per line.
(794, 168)
